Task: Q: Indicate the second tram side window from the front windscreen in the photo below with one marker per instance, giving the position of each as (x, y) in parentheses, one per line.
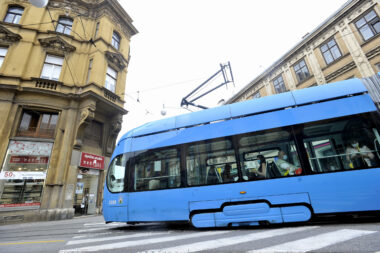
(211, 162)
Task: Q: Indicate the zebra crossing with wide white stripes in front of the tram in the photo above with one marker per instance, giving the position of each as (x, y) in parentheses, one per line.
(103, 238)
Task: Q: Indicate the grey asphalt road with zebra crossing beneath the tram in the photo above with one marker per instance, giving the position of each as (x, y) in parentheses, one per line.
(90, 234)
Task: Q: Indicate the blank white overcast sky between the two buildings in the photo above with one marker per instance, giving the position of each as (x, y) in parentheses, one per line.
(181, 43)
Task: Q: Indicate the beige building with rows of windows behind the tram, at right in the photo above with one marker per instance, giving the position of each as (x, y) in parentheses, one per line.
(344, 46)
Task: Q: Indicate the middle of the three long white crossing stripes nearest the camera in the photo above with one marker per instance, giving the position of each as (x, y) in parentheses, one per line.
(228, 241)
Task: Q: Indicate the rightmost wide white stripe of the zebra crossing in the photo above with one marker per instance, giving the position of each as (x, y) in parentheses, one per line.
(316, 242)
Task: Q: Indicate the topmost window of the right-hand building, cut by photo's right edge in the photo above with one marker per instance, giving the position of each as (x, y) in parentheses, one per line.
(368, 25)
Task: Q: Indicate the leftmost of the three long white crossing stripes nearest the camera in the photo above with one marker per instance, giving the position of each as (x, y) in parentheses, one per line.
(143, 242)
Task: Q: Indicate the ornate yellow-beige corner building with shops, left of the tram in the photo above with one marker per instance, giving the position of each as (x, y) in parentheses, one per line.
(62, 77)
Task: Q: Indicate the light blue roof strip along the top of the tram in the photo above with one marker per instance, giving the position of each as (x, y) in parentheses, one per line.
(253, 106)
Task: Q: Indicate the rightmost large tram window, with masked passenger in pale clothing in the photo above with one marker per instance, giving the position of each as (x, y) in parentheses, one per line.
(331, 145)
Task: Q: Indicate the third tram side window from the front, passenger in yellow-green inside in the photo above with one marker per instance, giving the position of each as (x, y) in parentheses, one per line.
(268, 155)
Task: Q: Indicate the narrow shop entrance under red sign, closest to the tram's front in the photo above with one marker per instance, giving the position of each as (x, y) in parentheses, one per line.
(88, 192)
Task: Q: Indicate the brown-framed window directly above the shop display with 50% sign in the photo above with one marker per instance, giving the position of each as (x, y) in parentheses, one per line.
(37, 124)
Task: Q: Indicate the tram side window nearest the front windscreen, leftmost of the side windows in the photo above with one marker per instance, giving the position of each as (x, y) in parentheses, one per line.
(157, 169)
